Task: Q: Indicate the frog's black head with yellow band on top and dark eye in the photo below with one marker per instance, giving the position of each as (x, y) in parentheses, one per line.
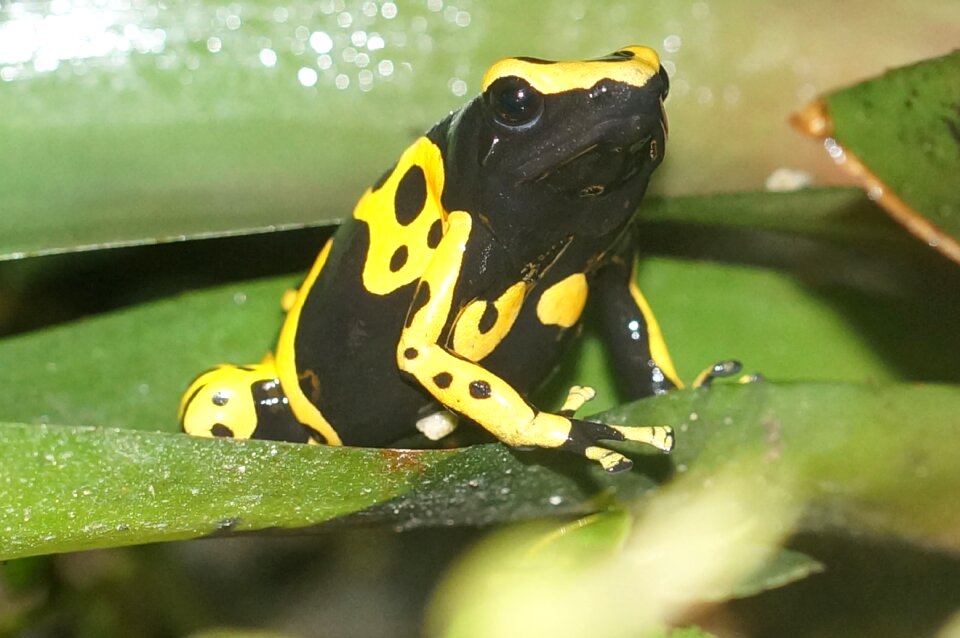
(588, 131)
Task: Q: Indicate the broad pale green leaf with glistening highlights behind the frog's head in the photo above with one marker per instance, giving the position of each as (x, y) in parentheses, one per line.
(147, 122)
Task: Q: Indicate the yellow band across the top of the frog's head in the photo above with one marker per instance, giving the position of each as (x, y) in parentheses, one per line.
(633, 65)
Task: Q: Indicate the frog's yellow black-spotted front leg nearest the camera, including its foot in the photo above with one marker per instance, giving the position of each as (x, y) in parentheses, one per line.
(469, 389)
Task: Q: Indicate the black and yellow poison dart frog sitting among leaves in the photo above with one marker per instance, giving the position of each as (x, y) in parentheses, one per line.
(464, 271)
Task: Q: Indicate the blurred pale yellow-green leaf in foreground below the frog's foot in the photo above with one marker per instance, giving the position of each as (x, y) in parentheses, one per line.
(691, 544)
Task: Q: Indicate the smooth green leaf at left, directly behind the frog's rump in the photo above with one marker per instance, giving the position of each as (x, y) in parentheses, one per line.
(128, 369)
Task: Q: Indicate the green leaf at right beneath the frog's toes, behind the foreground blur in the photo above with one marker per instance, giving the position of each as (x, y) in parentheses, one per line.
(876, 458)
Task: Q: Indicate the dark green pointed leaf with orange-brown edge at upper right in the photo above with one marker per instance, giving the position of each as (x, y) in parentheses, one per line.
(900, 134)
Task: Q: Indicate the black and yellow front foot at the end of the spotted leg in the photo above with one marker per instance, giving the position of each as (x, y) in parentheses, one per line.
(584, 436)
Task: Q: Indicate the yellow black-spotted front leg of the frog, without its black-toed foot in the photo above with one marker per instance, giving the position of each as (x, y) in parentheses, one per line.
(461, 385)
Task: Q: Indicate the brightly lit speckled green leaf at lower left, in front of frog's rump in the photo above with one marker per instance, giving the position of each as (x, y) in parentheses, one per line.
(66, 489)
